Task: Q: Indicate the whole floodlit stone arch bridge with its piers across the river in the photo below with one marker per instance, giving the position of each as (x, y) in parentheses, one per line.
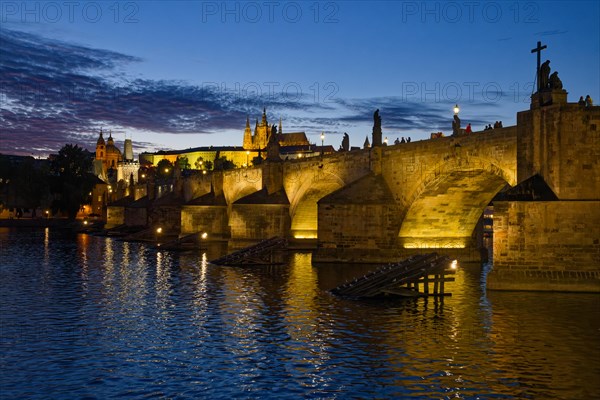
(383, 203)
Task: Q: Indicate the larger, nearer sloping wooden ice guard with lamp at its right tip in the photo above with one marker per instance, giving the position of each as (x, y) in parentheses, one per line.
(403, 278)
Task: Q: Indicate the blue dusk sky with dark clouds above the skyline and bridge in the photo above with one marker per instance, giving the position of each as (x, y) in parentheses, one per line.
(173, 75)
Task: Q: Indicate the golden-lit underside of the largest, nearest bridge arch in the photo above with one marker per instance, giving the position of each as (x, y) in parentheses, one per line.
(444, 208)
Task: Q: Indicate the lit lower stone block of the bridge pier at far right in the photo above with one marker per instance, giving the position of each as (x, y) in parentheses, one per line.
(546, 245)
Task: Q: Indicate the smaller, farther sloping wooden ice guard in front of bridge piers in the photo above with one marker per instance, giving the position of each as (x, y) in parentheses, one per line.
(262, 253)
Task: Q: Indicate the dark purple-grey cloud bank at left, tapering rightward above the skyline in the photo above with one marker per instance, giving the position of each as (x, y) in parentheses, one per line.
(53, 92)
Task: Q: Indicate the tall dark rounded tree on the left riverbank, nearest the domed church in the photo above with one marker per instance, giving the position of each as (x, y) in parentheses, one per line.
(71, 180)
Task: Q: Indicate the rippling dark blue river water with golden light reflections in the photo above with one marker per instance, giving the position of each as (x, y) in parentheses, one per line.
(92, 317)
